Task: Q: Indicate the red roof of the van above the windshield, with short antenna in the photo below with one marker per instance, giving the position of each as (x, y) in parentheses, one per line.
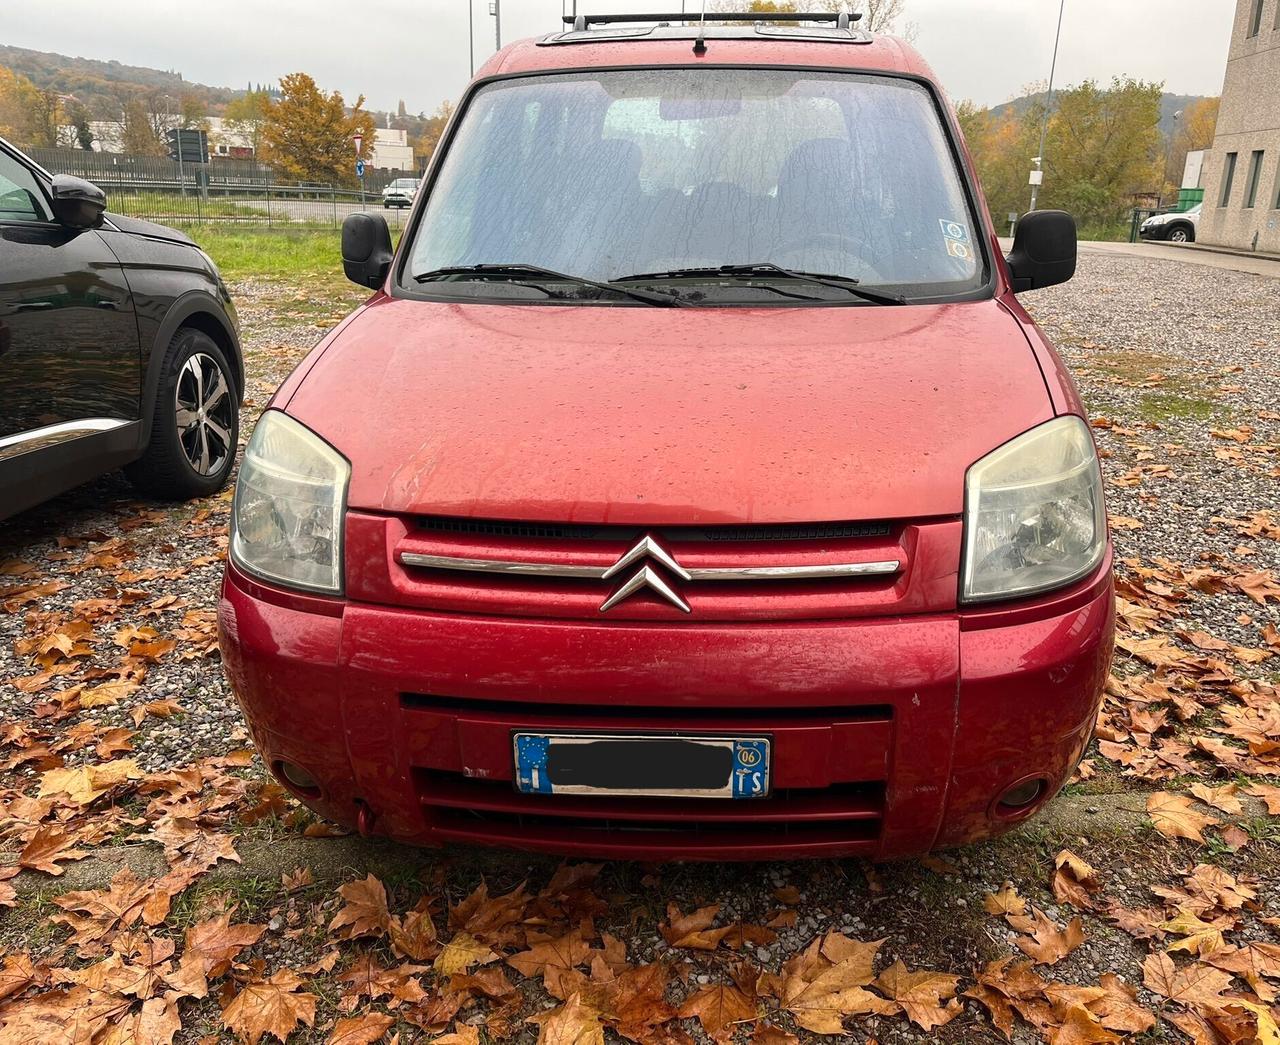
(612, 45)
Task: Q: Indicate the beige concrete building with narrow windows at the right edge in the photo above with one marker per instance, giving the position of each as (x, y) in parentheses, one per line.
(1242, 171)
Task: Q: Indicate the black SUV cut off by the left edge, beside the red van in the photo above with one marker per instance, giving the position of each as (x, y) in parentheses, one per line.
(118, 348)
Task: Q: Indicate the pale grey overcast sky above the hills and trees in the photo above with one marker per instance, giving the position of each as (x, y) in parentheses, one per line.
(417, 51)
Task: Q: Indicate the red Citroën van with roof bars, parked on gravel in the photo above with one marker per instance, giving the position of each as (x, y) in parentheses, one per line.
(692, 486)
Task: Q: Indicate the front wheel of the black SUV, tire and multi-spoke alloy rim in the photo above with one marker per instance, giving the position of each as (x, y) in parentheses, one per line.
(194, 458)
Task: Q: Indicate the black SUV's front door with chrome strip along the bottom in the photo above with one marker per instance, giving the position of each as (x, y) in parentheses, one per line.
(70, 357)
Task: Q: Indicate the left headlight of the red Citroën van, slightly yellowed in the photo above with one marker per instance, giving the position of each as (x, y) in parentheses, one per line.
(290, 500)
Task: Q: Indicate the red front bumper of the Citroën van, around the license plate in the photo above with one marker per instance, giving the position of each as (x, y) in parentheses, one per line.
(892, 736)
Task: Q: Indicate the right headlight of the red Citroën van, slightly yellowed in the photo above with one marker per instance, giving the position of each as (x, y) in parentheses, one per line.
(1035, 517)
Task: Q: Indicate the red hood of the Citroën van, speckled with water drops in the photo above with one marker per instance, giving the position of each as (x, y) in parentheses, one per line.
(665, 417)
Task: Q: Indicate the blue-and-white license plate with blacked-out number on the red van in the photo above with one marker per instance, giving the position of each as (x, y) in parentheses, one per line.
(657, 765)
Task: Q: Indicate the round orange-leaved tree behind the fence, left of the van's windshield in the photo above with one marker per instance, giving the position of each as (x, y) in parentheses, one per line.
(308, 134)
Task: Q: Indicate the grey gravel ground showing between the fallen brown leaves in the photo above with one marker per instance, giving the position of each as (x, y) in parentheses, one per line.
(1165, 355)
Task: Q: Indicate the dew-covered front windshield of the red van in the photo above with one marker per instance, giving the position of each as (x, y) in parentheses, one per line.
(615, 175)
